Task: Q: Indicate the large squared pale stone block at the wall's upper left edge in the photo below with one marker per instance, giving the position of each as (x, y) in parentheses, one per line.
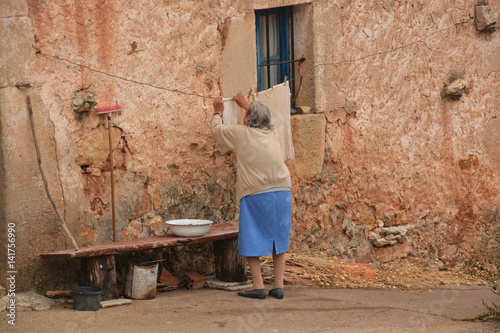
(16, 58)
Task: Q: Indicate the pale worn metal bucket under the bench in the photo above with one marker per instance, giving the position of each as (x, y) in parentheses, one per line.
(141, 280)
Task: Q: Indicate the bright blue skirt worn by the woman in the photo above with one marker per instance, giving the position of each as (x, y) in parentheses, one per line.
(265, 221)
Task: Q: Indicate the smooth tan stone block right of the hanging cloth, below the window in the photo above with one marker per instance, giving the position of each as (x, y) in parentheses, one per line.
(308, 132)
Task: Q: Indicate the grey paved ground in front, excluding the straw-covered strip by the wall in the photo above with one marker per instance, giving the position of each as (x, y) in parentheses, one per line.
(304, 309)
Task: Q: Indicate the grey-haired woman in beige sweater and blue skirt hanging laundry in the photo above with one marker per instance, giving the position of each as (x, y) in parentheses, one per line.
(263, 190)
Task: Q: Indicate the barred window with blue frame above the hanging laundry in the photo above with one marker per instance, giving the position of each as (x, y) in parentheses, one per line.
(273, 46)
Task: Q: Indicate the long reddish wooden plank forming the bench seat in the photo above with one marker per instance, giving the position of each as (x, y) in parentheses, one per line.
(218, 231)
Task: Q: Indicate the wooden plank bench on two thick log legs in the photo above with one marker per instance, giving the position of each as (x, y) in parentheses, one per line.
(99, 260)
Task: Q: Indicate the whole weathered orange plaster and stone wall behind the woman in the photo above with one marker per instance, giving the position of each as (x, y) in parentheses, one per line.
(383, 148)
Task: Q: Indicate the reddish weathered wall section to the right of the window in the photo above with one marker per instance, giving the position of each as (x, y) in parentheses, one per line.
(402, 153)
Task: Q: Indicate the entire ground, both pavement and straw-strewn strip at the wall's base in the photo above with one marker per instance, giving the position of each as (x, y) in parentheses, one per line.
(325, 296)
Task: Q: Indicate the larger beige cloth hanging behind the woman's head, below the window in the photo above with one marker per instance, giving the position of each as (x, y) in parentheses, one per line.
(277, 99)
